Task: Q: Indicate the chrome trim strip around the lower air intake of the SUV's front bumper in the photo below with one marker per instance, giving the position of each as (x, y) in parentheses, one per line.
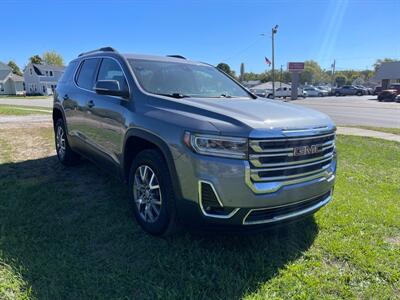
(288, 215)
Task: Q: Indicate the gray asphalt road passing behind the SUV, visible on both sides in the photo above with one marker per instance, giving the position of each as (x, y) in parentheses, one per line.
(349, 110)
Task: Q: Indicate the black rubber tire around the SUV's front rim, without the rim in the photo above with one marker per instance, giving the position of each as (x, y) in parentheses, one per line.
(155, 161)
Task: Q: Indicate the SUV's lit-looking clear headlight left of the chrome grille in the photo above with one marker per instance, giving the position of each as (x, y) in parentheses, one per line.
(216, 145)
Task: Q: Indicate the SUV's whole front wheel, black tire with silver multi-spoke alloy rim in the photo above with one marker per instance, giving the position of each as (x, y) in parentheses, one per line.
(151, 193)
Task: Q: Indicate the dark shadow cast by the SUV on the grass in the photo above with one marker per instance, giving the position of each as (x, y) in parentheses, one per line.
(70, 234)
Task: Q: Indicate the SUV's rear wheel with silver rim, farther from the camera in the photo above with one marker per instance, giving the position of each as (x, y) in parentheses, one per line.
(64, 152)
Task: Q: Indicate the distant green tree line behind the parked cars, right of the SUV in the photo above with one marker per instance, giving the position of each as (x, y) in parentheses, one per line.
(312, 74)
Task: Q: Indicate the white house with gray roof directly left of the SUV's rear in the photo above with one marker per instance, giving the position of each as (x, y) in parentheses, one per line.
(41, 79)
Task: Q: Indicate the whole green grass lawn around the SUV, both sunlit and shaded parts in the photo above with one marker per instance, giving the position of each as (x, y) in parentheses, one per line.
(67, 233)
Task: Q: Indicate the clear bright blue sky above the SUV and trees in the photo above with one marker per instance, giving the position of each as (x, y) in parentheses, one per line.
(356, 33)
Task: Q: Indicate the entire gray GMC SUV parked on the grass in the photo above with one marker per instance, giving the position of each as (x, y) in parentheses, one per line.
(195, 147)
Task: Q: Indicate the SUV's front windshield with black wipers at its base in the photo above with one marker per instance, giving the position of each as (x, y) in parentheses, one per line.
(185, 80)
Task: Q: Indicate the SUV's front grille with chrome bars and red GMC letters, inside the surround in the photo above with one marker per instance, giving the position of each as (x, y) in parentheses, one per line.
(281, 159)
